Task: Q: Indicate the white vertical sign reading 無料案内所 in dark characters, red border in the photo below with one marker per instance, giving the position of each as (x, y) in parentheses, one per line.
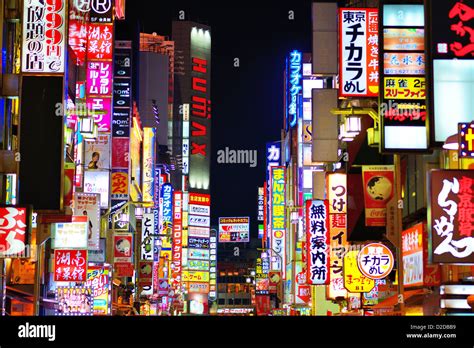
(317, 242)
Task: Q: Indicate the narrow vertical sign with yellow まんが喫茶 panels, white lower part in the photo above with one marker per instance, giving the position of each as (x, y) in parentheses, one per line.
(278, 218)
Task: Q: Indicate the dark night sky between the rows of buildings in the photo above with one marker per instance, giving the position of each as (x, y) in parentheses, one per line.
(247, 102)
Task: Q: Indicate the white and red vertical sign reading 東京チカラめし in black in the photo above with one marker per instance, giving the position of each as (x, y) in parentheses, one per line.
(359, 52)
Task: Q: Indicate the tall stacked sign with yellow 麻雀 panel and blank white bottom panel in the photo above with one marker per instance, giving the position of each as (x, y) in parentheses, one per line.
(403, 101)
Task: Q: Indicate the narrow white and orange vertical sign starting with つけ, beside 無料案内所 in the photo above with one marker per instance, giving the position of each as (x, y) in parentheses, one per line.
(337, 196)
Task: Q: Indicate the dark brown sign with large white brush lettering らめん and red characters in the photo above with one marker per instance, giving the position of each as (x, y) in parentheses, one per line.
(450, 216)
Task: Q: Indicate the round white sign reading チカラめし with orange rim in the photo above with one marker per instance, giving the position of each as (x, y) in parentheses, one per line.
(375, 261)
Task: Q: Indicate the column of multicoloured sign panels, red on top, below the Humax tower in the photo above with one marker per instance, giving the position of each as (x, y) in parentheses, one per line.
(197, 277)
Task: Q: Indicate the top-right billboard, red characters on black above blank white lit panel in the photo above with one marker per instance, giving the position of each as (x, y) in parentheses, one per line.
(451, 52)
